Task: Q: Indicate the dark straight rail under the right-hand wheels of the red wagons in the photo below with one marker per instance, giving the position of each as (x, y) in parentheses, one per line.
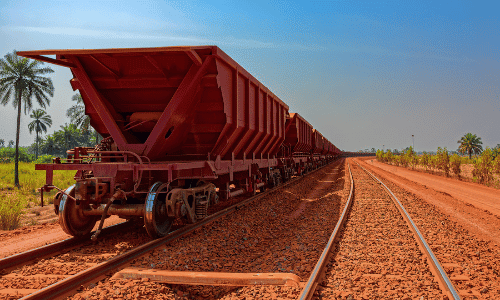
(67, 286)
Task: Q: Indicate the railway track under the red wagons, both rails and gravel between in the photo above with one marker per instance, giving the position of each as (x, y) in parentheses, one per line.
(62, 275)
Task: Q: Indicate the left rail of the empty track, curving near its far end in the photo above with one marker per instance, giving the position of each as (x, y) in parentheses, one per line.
(312, 282)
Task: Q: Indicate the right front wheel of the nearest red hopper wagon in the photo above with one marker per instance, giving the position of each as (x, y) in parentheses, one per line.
(156, 218)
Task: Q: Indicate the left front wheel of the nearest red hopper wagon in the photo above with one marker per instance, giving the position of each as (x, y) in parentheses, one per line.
(71, 217)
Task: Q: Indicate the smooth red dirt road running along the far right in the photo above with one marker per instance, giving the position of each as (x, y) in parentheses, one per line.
(474, 206)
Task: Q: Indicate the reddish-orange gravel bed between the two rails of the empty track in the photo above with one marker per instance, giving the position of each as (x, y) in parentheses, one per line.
(377, 256)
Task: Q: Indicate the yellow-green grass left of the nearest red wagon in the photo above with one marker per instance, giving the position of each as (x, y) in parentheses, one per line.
(13, 201)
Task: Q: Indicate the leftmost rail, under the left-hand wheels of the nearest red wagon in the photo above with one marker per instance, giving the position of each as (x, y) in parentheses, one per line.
(20, 259)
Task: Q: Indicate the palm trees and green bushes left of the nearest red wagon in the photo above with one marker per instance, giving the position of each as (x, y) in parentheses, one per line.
(24, 82)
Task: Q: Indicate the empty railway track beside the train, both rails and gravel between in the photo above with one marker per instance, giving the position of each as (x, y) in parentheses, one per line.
(360, 266)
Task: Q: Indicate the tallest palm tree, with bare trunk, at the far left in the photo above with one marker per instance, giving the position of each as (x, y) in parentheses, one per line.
(23, 79)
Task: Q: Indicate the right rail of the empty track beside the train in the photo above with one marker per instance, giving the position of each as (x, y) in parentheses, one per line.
(436, 268)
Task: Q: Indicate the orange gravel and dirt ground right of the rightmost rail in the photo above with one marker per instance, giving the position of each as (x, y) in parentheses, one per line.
(463, 237)
